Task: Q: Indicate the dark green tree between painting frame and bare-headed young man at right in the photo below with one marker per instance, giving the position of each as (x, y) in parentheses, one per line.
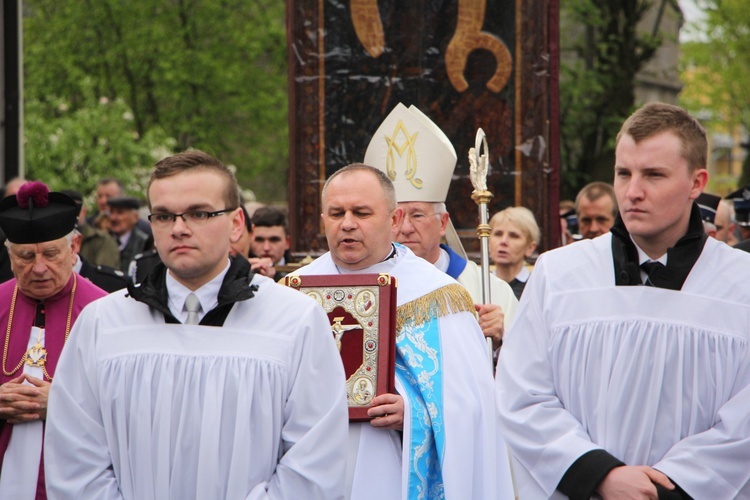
(604, 48)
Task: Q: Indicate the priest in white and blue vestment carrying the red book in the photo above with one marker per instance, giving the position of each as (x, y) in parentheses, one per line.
(450, 446)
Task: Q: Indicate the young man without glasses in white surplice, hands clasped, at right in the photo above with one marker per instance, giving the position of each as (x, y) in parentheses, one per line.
(646, 394)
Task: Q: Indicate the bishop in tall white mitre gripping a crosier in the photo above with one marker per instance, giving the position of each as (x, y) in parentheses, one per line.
(419, 159)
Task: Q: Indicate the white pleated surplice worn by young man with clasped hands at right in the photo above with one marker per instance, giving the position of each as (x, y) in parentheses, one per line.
(653, 376)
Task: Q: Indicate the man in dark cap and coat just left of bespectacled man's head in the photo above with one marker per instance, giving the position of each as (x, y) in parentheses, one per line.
(131, 241)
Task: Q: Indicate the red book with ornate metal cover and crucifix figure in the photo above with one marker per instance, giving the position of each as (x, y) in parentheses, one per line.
(362, 312)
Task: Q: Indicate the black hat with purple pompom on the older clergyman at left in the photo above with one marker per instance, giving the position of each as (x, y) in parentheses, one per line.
(36, 215)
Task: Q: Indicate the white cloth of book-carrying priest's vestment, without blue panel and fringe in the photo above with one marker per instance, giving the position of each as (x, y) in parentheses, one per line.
(475, 461)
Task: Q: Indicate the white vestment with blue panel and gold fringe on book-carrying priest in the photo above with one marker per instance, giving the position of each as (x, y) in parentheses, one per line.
(451, 444)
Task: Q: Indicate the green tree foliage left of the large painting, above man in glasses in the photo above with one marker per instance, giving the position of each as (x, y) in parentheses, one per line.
(210, 74)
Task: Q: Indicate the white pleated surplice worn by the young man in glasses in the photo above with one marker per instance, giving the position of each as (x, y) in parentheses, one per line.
(145, 410)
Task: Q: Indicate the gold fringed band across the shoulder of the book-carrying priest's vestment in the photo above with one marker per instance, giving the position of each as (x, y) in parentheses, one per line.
(445, 300)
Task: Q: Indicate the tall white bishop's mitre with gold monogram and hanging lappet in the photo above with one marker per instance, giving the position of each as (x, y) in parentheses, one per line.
(418, 158)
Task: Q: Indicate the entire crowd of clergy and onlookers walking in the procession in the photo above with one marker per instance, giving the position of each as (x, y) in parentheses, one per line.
(160, 358)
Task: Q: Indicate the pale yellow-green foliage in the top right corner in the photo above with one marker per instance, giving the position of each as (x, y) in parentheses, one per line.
(716, 69)
